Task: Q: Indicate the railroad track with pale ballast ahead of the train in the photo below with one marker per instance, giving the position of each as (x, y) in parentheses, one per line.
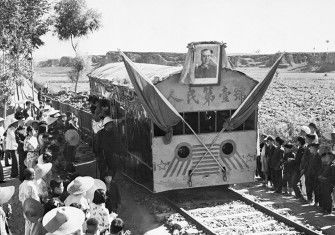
(218, 210)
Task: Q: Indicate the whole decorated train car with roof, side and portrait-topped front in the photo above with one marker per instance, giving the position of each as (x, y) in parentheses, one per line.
(199, 150)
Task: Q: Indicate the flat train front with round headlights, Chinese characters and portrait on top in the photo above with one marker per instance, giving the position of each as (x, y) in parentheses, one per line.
(200, 152)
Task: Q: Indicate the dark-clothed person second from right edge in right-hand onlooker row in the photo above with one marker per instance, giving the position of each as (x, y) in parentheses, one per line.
(312, 173)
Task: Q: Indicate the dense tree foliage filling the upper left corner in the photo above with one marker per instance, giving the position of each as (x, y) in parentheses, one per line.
(22, 23)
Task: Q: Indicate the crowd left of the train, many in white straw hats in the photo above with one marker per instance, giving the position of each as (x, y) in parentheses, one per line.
(55, 199)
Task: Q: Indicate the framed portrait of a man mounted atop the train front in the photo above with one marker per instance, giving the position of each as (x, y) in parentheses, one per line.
(206, 64)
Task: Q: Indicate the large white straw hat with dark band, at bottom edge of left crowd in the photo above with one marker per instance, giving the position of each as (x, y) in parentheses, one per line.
(63, 220)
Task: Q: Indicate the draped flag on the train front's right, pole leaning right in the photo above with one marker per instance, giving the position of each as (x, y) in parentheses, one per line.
(251, 102)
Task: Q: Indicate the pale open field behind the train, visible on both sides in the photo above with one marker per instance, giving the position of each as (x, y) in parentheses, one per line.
(293, 99)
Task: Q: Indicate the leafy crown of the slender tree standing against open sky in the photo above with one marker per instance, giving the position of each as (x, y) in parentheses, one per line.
(74, 20)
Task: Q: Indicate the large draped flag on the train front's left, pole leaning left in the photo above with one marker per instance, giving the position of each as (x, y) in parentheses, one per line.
(160, 110)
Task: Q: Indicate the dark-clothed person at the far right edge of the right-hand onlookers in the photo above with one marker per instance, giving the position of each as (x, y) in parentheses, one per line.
(327, 182)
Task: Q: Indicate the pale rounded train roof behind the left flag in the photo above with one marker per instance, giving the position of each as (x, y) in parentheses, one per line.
(116, 73)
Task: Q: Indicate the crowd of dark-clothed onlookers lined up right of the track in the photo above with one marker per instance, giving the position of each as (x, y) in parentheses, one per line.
(282, 164)
